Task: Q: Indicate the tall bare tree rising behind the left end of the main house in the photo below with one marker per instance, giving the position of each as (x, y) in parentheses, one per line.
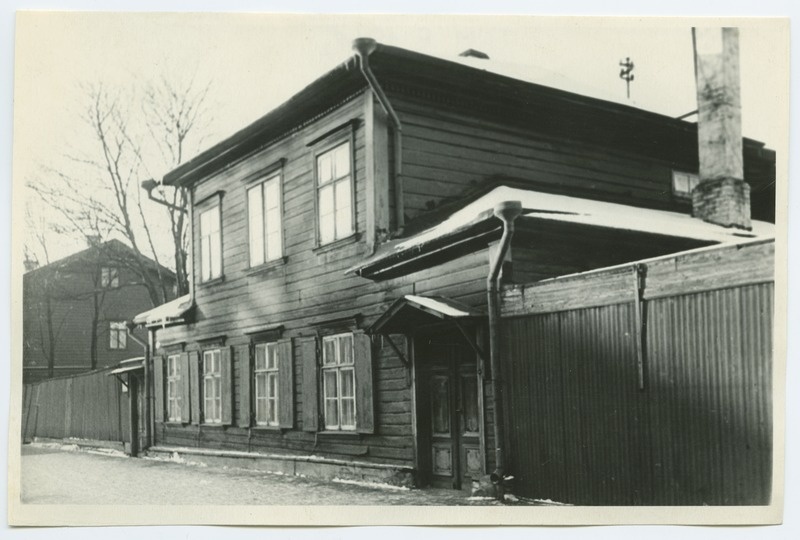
(96, 192)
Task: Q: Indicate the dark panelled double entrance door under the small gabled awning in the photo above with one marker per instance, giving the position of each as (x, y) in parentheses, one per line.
(453, 424)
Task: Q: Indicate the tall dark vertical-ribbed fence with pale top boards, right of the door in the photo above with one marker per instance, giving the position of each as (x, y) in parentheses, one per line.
(581, 427)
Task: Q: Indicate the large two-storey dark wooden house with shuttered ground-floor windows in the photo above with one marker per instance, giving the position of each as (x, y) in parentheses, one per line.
(341, 247)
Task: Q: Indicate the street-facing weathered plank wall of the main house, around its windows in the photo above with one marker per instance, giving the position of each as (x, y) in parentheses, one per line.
(309, 288)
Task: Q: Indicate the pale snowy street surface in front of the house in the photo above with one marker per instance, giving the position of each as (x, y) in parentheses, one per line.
(55, 476)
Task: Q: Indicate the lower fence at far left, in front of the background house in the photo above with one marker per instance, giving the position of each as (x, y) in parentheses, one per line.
(87, 406)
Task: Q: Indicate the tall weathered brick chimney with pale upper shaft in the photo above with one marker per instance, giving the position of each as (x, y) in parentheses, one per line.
(722, 196)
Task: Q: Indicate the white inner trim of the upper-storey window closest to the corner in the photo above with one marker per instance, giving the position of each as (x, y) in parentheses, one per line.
(330, 148)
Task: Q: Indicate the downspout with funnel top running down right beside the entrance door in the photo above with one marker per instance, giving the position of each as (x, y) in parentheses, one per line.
(507, 212)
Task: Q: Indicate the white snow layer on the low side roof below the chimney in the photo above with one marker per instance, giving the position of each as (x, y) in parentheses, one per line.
(564, 208)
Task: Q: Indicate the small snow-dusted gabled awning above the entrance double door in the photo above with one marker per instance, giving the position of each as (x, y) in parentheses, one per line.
(411, 311)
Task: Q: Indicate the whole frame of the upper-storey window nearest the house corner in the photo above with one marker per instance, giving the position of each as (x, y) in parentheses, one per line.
(328, 145)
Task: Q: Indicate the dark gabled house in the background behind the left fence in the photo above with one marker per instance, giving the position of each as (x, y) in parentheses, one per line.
(75, 310)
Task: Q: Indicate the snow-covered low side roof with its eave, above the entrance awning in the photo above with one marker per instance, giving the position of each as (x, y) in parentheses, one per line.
(475, 222)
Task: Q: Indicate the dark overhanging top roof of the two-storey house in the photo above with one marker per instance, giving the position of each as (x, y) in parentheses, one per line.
(495, 96)
